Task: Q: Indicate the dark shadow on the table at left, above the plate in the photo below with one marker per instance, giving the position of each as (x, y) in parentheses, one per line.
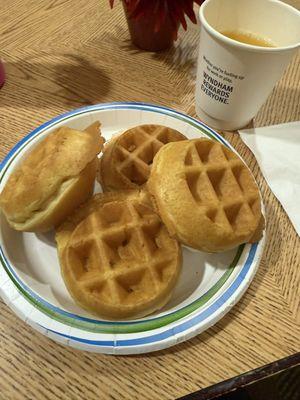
(41, 83)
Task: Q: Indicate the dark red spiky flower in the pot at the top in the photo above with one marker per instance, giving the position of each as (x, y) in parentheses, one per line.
(175, 10)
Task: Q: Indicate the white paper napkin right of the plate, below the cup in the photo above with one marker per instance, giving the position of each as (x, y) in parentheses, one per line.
(277, 150)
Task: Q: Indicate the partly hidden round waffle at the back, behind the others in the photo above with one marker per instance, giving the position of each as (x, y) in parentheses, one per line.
(127, 158)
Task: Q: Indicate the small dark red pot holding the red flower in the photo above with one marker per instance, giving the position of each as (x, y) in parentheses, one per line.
(143, 35)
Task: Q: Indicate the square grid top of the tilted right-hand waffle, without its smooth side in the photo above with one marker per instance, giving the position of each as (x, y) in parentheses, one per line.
(219, 181)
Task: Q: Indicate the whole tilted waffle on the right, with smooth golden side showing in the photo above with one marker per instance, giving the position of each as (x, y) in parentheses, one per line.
(206, 195)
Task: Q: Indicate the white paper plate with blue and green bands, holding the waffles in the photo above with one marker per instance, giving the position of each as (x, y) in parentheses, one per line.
(30, 280)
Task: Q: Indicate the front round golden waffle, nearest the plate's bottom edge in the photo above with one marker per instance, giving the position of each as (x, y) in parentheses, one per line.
(117, 257)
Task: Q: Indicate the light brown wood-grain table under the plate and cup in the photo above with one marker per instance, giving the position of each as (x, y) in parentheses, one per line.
(63, 54)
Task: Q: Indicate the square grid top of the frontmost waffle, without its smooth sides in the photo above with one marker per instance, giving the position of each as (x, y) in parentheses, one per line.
(124, 257)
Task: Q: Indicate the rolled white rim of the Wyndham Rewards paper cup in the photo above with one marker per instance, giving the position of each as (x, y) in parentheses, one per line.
(244, 46)
